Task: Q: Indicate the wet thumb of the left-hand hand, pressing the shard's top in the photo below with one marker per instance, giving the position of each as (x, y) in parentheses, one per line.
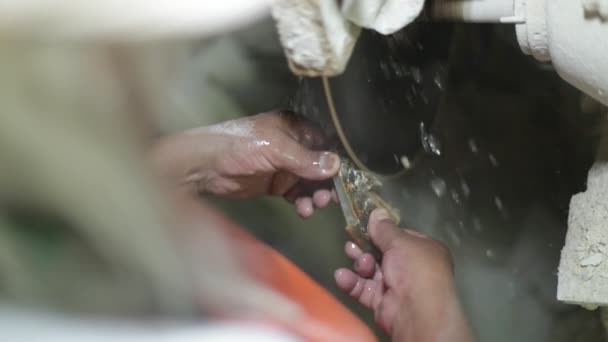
(305, 163)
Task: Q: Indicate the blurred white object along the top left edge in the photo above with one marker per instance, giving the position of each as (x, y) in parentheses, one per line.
(126, 20)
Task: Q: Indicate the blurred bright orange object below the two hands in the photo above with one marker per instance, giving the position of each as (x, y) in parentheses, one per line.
(326, 318)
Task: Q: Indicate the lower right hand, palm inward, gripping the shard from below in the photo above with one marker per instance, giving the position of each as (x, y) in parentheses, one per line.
(412, 293)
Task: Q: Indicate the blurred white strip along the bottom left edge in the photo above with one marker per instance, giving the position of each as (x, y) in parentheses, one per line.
(17, 324)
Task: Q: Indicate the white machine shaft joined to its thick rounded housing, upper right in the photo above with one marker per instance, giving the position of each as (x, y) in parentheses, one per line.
(571, 34)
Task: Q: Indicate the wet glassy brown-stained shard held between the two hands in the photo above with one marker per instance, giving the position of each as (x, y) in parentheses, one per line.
(358, 192)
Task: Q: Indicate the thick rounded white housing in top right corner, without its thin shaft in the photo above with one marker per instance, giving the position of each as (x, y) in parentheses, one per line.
(572, 38)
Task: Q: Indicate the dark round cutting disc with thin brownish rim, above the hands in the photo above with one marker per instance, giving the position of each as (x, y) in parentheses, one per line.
(386, 100)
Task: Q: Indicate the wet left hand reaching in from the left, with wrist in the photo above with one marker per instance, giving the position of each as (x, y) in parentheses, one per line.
(274, 153)
